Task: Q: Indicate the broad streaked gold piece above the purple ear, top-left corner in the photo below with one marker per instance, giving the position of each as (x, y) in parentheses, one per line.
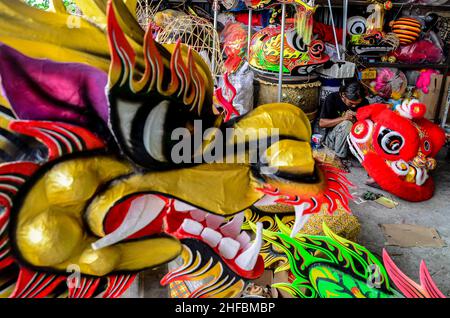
(41, 34)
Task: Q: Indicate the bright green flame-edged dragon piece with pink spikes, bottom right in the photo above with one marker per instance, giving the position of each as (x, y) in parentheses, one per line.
(332, 267)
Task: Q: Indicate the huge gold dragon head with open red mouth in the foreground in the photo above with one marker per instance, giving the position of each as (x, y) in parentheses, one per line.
(115, 202)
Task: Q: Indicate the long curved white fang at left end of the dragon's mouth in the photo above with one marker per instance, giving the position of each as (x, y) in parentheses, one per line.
(141, 213)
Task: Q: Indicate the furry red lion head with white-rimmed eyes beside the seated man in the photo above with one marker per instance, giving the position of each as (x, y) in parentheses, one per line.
(397, 148)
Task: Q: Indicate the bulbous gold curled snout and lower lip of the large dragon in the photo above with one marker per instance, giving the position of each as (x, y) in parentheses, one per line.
(50, 228)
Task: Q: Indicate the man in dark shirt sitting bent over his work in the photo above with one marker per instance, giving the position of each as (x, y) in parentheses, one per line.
(338, 115)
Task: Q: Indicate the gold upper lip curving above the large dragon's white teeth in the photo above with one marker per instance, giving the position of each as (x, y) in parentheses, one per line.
(223, 189)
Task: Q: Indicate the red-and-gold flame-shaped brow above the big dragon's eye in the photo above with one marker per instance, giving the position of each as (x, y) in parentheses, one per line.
(177, 68)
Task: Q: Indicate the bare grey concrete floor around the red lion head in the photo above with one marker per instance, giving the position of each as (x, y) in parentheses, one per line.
(433, 213)
